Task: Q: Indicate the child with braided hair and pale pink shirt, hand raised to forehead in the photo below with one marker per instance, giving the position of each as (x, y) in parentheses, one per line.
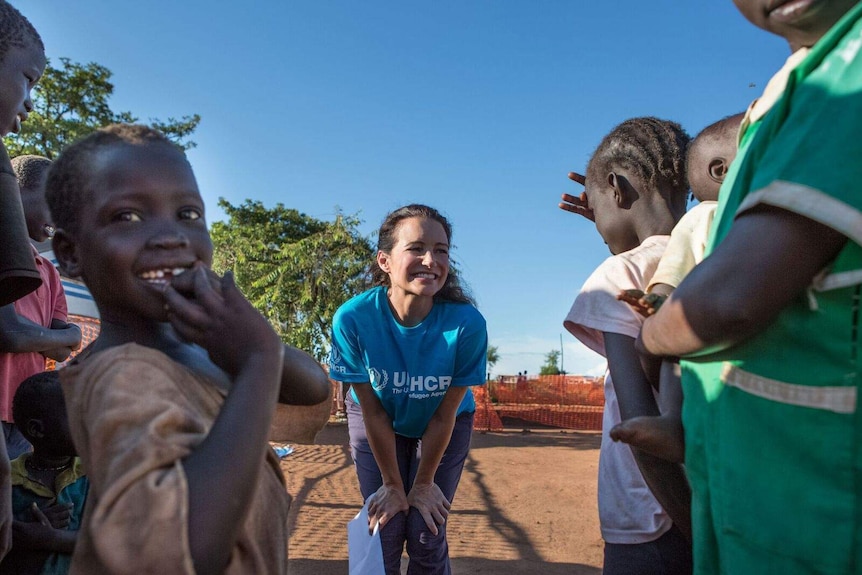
(635, 190)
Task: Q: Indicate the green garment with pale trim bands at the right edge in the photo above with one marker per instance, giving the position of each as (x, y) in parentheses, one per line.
(773, 434)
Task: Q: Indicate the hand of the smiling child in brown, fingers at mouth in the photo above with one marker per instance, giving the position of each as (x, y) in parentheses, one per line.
(217, 317)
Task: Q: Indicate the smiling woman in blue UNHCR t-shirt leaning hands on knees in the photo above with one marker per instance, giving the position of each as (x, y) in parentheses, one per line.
(411, 347)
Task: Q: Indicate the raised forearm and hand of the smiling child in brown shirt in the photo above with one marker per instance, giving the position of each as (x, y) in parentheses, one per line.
(252, 357)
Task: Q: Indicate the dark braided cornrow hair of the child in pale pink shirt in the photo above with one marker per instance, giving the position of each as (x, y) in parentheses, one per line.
(655, 149)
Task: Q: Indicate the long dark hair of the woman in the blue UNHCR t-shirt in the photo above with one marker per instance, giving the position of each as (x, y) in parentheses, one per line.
(386, 237)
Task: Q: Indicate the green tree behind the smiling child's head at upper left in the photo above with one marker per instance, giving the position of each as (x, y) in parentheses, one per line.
(71, 101)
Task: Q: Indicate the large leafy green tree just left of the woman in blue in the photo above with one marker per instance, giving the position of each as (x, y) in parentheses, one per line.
(295, 269)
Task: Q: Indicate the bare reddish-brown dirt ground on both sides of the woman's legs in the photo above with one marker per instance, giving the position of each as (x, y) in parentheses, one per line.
(526, 504)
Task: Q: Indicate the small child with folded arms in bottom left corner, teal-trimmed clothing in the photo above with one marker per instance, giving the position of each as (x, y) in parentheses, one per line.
(49, 487)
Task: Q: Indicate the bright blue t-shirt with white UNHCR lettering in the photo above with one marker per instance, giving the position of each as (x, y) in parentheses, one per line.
(410, 368)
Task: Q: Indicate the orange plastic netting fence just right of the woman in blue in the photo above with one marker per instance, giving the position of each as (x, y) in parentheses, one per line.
(564, 401)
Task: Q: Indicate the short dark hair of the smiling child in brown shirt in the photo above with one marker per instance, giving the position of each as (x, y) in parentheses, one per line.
(67, 186)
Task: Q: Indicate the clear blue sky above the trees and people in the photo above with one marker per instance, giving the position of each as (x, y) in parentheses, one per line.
(479, 108)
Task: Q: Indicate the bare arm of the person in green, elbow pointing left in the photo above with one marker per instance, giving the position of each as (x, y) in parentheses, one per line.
(738, 291)
